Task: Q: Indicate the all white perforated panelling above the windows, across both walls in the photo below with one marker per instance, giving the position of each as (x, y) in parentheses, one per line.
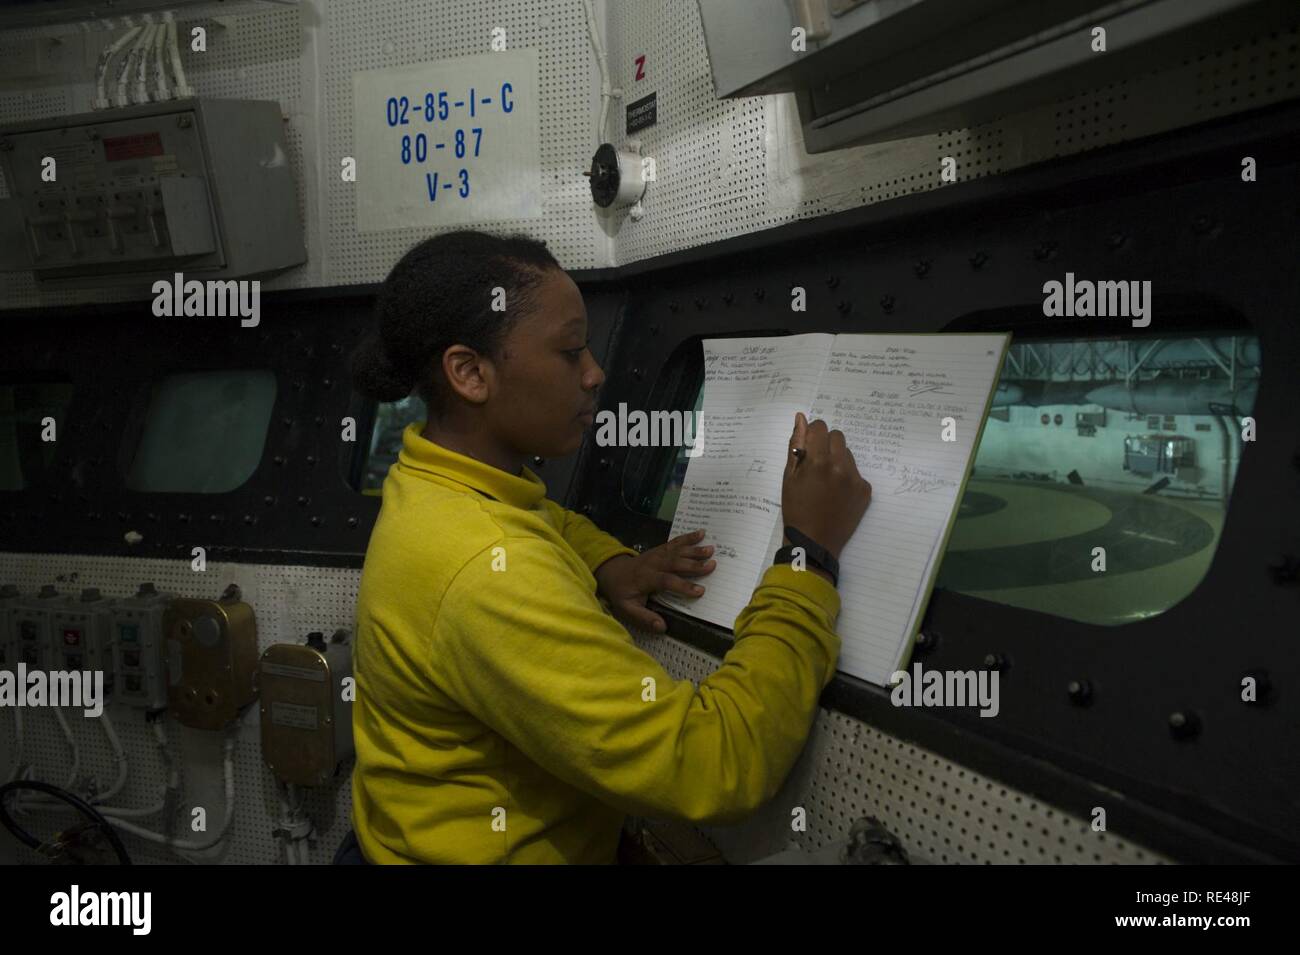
(725, 167)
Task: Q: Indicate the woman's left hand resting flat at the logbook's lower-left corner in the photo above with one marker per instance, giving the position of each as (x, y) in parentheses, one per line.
(627, 581)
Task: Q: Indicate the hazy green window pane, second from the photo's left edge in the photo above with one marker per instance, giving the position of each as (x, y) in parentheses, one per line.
(205, 432)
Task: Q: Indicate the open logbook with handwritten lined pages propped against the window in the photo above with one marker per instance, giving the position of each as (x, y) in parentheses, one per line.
(912, 410)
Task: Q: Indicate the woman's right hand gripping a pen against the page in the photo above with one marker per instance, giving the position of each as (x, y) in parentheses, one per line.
(824, 494)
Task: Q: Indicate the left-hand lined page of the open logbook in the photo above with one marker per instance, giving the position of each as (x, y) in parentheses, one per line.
(753, 388)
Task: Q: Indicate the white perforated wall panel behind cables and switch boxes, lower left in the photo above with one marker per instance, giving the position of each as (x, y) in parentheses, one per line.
(289, 602)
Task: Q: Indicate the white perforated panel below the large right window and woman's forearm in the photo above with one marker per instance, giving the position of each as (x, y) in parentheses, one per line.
(939, 810)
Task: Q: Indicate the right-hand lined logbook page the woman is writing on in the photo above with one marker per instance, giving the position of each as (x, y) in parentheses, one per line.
(890, 394)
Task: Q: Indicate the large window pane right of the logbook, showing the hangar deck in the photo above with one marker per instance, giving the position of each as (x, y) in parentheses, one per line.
(1102, 483)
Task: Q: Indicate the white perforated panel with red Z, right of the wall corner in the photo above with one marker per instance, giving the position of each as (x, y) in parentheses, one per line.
(734, 167)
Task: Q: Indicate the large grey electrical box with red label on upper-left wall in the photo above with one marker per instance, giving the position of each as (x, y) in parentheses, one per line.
(197, 186)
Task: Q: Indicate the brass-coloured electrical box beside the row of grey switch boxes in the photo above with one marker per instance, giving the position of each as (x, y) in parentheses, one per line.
(211, 661)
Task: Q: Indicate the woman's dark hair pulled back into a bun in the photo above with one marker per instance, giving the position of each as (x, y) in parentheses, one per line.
(441, 294)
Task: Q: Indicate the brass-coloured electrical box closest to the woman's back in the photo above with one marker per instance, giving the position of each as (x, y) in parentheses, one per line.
(306, 724)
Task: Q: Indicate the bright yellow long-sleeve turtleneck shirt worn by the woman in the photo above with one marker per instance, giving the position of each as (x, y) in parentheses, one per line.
(501, 713)
